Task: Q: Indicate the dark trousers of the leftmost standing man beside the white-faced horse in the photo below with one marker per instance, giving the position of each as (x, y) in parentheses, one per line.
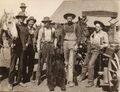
(15, 56)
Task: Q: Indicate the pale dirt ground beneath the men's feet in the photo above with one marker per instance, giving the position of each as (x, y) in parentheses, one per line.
(43, 87)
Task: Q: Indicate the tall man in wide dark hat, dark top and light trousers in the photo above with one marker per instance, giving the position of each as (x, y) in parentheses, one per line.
(70, 43)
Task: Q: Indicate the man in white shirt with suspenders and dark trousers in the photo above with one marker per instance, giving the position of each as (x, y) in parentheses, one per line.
(46, 44)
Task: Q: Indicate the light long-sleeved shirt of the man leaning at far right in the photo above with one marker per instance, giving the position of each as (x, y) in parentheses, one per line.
(99, 39)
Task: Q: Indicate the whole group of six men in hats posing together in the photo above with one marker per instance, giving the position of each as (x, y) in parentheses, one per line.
(46, 42)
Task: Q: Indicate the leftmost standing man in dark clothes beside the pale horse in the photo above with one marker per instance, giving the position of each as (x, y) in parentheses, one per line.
(17, 50)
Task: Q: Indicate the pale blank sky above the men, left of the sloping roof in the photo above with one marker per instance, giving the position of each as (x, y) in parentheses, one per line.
(36, 8)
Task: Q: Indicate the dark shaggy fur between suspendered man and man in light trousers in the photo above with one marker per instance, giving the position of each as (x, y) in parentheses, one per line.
(58, 68)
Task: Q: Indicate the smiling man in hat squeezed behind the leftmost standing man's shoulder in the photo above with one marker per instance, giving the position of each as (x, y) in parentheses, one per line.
(30, 50)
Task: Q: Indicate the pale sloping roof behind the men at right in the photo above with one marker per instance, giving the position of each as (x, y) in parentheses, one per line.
(77, 6)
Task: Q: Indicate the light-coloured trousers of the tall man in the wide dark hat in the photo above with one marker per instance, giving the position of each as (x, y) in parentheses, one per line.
(69, 58)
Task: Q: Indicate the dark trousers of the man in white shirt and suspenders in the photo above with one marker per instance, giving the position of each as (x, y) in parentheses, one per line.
(46, 55)
